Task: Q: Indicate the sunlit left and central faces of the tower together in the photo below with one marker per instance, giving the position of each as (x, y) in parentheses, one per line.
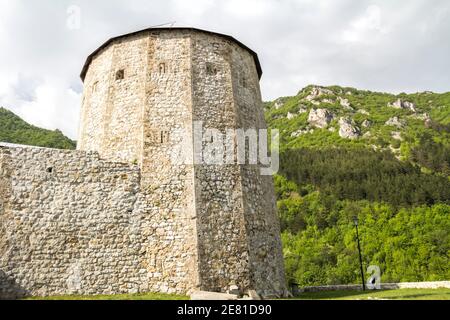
(144, 115)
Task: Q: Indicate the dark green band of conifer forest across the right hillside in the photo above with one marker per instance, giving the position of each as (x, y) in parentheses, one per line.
(360, 173)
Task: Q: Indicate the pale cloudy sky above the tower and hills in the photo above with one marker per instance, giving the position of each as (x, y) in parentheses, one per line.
(380, 45)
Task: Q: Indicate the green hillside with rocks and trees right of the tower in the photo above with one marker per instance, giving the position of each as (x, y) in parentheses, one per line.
(378, 156)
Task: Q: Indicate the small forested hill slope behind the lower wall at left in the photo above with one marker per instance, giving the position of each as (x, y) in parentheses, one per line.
(15, 130)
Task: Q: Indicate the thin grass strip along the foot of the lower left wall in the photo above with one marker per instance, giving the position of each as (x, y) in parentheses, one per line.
(144, 296)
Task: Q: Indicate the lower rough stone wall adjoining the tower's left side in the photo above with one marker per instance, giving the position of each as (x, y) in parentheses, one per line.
(70, 231)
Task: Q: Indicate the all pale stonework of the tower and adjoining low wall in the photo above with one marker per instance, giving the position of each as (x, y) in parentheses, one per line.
(120, 215)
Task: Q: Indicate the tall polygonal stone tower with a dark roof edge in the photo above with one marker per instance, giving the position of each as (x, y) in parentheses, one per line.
(209, 226)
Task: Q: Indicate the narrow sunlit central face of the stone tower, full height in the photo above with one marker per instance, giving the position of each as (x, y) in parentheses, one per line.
(168, 185)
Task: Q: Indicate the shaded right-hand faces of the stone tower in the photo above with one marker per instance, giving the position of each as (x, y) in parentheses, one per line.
(239, 233)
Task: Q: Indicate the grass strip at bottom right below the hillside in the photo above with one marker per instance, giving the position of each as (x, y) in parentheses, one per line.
(398, 294)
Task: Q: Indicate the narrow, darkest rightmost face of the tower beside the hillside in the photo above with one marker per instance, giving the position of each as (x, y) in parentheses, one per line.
(262, 223)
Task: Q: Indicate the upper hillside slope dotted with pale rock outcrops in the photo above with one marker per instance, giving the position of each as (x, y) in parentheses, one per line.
(338, 115)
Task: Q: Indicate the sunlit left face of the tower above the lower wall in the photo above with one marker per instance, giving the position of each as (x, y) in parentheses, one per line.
(112, 107)
